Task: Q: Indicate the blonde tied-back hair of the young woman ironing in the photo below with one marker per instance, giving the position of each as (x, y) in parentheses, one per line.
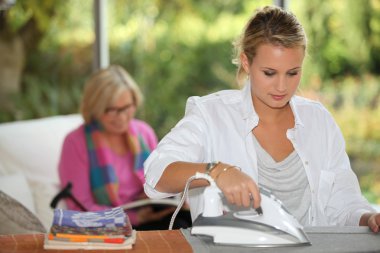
(268, 25)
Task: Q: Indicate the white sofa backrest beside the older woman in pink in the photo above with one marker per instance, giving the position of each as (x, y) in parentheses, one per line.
(34, 146)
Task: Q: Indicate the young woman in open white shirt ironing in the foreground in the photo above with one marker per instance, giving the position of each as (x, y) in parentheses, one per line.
(263, 135)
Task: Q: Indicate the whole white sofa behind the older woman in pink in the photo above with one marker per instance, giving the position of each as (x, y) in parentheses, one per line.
(29, 156)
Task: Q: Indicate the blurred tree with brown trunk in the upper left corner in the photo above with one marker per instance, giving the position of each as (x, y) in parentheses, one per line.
(21, 29)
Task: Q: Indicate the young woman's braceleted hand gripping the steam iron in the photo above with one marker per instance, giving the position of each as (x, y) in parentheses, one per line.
(237, 187)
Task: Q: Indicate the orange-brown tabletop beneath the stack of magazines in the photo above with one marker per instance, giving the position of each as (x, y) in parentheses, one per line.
(164, 241)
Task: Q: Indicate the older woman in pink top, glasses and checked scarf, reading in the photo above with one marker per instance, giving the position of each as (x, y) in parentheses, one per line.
(103, 158)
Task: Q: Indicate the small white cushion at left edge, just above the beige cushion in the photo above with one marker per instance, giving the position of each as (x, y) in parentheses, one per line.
(17, 187)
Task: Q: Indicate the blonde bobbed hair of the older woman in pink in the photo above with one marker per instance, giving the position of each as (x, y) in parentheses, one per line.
(103, 88)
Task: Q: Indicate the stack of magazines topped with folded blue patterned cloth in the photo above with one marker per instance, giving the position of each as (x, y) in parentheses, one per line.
(108, 229)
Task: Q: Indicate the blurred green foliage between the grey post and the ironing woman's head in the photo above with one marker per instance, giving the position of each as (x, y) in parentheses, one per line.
(175, 56)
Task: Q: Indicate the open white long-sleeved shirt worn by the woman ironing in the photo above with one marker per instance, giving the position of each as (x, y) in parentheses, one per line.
(218, 127)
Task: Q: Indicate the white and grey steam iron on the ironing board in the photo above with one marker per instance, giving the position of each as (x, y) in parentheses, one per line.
(275, 227)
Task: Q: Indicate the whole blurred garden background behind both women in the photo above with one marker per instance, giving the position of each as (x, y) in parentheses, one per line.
(180, 48)
